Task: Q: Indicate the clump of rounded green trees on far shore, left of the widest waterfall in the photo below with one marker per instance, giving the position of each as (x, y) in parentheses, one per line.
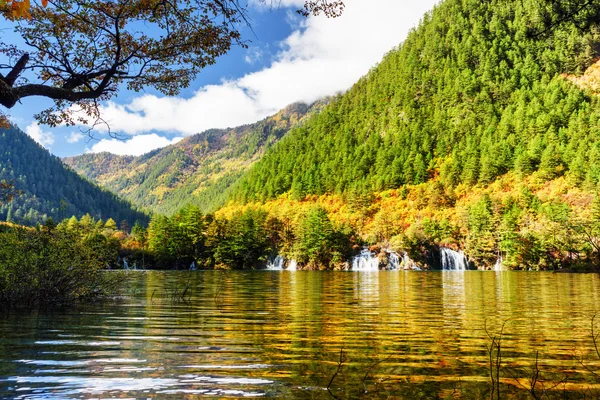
(245, 240)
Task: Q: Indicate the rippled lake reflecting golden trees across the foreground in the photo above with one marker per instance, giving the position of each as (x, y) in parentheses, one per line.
(400, 334)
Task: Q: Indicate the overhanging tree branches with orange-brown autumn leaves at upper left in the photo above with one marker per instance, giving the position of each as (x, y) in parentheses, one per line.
(81, 52)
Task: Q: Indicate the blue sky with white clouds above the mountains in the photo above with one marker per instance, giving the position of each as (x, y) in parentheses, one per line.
(289, 59)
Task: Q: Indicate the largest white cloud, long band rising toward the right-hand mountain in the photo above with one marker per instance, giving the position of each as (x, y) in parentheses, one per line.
(322, 57)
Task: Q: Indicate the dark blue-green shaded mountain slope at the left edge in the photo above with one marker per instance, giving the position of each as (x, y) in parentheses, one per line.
(49, 188)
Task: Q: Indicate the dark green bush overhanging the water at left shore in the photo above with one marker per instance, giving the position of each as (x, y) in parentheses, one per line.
(48, 267)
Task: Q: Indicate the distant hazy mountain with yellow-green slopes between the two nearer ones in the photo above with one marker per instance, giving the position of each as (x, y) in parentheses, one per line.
(198, 170)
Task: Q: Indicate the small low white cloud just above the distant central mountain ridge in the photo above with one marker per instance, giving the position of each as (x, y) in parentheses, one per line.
(136, 146)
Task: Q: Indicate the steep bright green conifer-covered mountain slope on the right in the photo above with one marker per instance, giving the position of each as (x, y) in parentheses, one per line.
(470, 95)
